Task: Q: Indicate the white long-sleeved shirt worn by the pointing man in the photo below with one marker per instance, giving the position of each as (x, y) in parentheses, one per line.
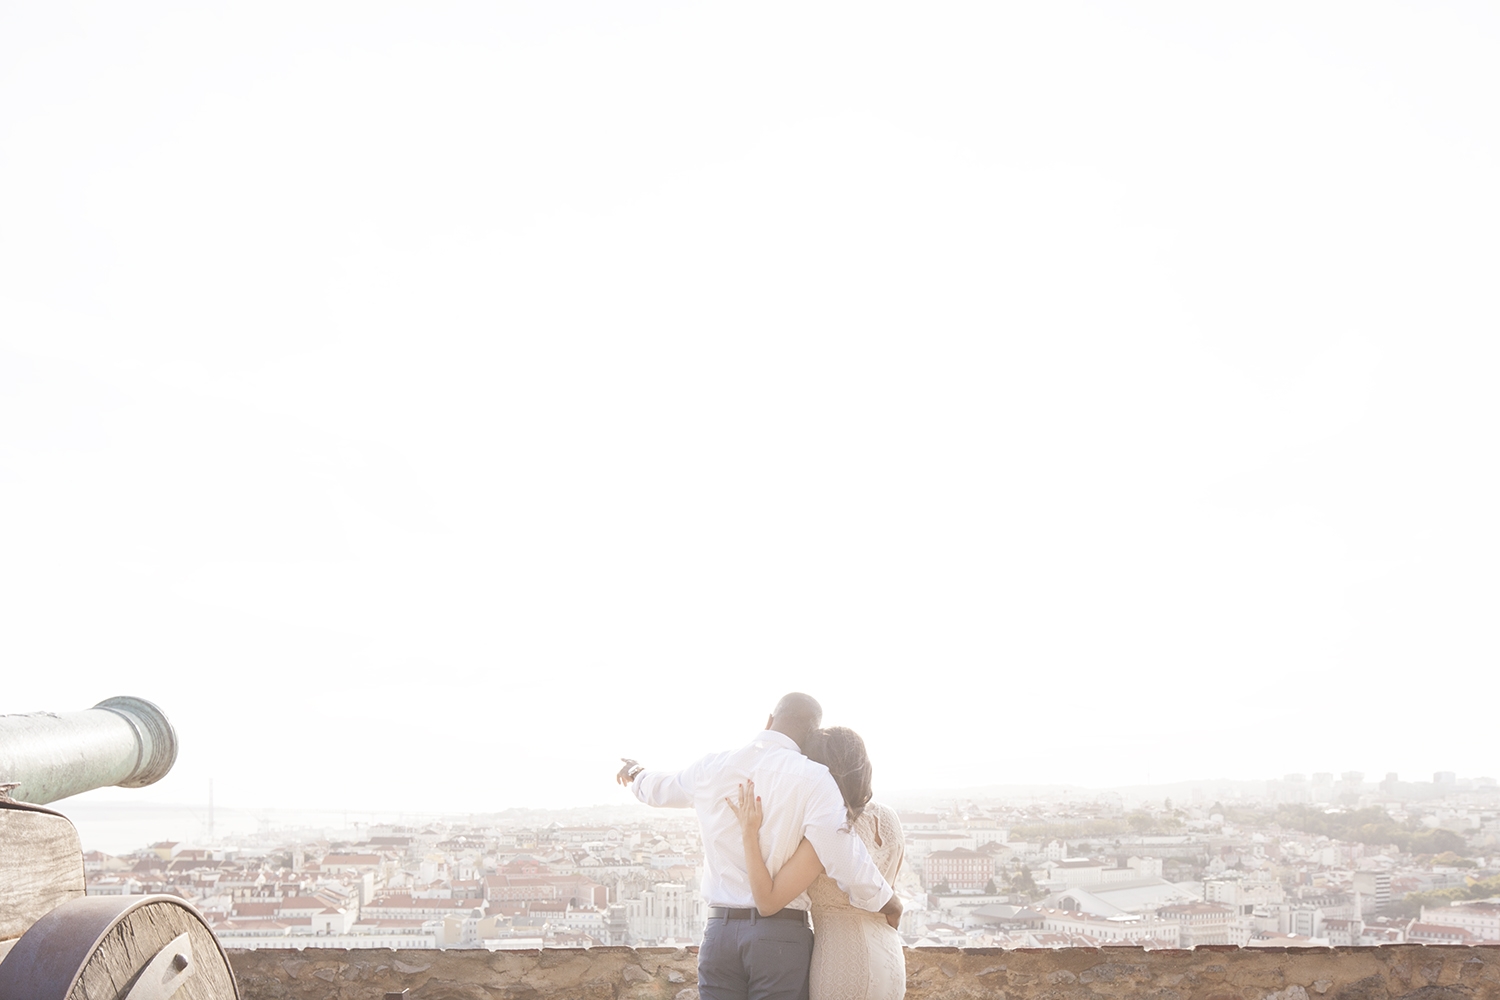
(799, 798)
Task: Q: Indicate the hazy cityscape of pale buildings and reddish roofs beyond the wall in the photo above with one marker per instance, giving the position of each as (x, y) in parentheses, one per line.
(1301, 861)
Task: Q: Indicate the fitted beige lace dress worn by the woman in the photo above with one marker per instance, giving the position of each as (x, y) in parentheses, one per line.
(857, 956)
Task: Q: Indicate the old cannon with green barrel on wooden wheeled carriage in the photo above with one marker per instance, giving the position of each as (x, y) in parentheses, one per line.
(56, 942)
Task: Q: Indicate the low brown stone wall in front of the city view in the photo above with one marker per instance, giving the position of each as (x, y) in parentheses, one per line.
(1412, 972)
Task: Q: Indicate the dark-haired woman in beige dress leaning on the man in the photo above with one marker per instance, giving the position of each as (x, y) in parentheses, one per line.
(857, 956)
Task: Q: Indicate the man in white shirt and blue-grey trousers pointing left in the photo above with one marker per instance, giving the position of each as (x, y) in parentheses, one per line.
(746, 956)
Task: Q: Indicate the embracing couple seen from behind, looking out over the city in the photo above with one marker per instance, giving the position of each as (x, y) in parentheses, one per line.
(791, 840)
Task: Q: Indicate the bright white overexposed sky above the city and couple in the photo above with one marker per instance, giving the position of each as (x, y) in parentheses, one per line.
(434, 403)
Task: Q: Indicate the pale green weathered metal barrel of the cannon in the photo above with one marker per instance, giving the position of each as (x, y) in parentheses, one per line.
(121, 741)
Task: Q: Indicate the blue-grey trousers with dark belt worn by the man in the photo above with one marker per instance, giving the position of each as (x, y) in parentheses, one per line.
(755, 960)
